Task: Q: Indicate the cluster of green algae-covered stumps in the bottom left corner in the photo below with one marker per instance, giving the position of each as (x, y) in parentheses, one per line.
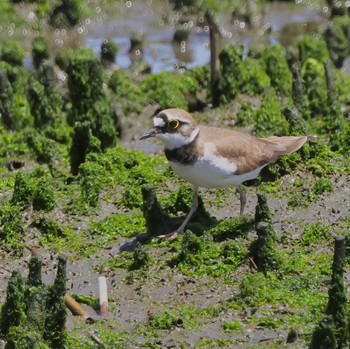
(34, 315)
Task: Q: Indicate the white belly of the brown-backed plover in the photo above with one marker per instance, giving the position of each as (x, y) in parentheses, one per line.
(212, 174)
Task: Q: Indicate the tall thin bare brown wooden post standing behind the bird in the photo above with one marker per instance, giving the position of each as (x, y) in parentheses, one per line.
(215, 36)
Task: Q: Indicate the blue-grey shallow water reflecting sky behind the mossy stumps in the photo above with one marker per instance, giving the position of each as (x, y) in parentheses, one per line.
(280, 23)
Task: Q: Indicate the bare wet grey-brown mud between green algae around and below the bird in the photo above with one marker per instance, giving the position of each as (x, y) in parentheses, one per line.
(133, 305)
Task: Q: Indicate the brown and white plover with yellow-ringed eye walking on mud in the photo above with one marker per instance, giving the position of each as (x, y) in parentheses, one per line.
(211, 157)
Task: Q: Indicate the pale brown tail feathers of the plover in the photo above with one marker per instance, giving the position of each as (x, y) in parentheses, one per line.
(287, 144)
